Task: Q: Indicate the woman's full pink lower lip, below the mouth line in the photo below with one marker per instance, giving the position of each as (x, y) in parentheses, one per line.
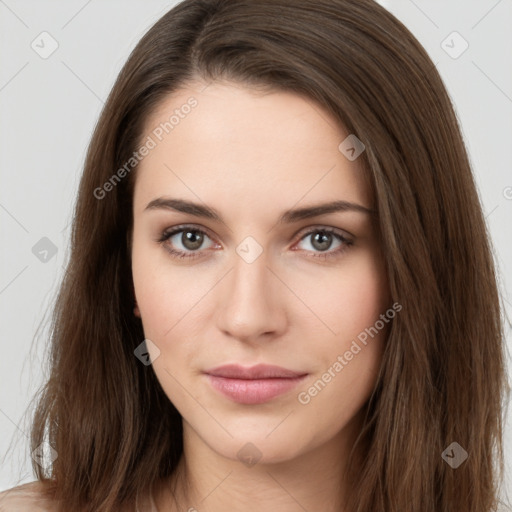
(256, 391)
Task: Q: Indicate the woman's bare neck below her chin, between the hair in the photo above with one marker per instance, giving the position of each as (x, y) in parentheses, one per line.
(318, 479)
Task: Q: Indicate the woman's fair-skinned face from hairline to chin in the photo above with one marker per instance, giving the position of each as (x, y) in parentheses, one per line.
(251, 284)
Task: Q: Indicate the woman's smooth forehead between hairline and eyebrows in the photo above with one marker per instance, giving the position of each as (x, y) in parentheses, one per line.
(224, 143)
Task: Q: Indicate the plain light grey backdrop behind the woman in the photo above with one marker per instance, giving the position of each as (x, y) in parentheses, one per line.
(49, 105)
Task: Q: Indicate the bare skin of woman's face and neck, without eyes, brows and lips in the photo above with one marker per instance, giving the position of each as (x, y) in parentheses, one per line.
(252, 156)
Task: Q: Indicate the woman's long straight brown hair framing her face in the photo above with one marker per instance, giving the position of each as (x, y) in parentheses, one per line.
(442, 377)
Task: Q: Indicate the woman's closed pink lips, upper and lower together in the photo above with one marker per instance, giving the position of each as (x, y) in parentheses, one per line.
(254, 385)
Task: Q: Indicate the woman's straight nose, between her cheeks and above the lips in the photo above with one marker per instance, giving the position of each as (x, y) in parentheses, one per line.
(251, 303)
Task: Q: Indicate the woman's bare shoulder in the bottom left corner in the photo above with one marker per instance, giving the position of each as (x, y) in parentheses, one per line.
(27, 498)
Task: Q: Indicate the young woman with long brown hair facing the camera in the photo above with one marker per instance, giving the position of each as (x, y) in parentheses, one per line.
(280, 293)
